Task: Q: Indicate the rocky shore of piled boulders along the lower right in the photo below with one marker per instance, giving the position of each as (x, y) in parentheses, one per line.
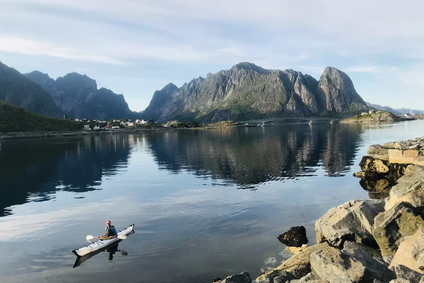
(371, 240)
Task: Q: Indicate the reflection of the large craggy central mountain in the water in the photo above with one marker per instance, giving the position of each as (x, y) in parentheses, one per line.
(252, 156)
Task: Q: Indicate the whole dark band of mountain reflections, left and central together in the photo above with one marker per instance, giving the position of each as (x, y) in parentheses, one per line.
(34, 171)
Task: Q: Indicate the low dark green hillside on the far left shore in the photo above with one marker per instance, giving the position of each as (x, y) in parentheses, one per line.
(13, 118)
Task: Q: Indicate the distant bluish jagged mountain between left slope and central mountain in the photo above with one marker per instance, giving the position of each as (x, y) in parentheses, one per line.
(77, 96)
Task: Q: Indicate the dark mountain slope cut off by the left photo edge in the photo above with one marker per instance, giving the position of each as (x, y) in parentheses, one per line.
(17, 89)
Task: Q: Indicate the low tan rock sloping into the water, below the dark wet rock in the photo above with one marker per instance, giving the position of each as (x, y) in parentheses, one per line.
(298, 265)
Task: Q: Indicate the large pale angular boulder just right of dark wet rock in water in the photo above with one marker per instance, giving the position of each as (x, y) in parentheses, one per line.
(351, 221)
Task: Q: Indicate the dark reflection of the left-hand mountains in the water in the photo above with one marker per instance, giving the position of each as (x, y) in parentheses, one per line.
(36, 169)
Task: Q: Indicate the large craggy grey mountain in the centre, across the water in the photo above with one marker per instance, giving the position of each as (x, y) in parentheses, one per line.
(247, 91)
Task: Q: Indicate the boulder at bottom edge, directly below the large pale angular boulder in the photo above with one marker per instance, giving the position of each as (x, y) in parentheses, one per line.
(333, 265)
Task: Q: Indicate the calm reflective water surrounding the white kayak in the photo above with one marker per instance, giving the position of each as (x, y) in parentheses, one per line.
(205, 203)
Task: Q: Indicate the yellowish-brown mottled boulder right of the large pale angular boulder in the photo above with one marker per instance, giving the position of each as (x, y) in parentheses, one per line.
(390, 226)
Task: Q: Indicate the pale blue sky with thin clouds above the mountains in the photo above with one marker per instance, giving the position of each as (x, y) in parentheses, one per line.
(137, 47)
